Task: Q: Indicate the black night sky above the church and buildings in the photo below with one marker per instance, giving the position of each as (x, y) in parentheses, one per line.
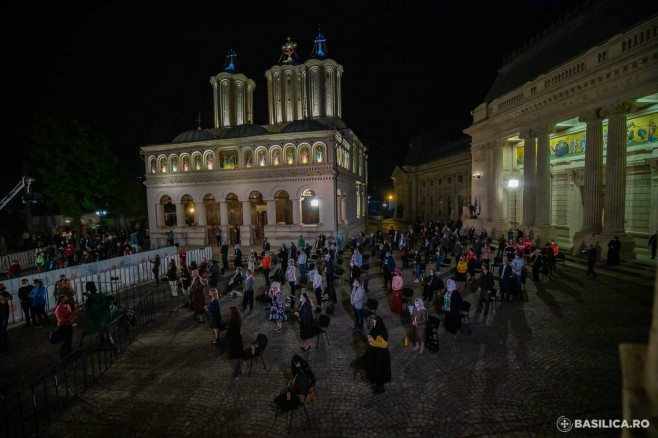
(139, 71)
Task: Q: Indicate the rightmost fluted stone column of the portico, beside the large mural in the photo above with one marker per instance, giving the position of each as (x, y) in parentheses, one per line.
(615, 168)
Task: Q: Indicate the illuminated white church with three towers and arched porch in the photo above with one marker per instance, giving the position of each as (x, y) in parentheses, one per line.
(302, 174)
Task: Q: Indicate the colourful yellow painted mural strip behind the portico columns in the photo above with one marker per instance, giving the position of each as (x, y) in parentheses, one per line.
(639, 130)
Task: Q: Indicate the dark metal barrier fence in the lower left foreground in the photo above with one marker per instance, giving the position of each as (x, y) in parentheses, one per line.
(29, 411)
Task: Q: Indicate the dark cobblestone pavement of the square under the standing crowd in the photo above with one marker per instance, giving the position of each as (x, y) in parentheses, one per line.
(524, 365)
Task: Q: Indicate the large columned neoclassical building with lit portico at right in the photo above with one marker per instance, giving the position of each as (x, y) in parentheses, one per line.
(565, 143)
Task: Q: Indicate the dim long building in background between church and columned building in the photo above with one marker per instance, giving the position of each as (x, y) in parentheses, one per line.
(434, 180)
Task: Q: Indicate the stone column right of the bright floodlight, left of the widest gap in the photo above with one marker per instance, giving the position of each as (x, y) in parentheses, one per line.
(542, 198)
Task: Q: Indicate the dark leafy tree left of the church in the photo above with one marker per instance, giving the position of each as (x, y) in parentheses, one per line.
(73, 165)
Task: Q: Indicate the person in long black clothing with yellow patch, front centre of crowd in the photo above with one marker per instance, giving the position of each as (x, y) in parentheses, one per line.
(377, 357)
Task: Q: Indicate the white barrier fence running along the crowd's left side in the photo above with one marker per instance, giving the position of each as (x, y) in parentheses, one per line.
(112, 281)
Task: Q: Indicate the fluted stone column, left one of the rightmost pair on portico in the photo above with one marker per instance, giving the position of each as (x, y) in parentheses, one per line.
(593, 187)
